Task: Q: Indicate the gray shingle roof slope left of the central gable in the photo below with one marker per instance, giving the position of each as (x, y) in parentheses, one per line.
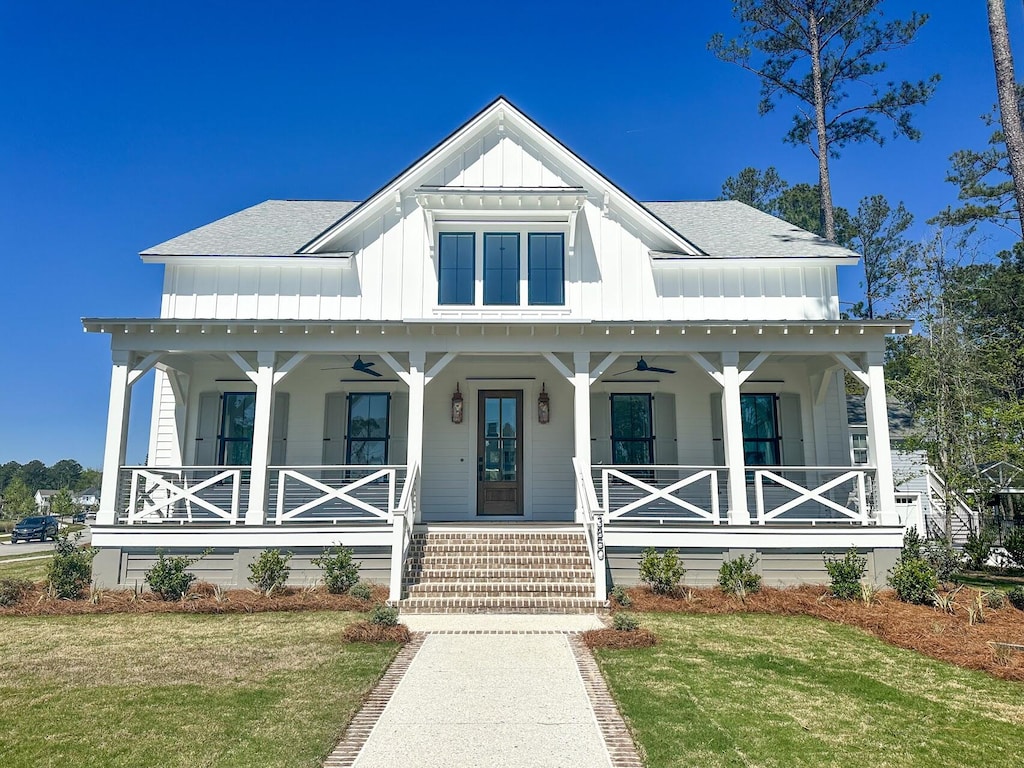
(276, 228)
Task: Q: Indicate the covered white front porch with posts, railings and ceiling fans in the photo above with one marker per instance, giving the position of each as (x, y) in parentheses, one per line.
(352, 433)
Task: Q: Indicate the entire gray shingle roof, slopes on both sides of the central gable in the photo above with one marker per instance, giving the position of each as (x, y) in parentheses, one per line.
(722, 229)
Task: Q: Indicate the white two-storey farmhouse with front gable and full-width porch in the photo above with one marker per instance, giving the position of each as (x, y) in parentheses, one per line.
(498, 345)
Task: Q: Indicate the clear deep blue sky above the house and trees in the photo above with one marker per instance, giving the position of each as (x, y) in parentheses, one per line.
(126, 124)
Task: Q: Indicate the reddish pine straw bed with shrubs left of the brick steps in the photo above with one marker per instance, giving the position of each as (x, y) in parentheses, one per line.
(203, 599)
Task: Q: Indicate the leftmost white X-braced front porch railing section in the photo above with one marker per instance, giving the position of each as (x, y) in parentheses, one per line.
(182, 495)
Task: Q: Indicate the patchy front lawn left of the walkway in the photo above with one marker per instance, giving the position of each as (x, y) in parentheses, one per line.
(267, 690)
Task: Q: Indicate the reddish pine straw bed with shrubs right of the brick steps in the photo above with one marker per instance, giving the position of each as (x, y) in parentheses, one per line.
(920, 628)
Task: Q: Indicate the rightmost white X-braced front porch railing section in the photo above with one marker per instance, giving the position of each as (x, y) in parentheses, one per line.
(815, 495)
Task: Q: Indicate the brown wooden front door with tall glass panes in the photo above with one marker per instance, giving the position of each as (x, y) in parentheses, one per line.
(499, 458)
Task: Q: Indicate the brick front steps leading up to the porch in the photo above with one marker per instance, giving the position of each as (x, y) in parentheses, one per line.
(499, 573)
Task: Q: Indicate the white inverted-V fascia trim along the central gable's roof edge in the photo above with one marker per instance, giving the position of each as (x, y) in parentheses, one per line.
(505, 112)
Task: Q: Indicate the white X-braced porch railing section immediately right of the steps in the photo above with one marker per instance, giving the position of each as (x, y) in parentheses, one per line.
(661, 493)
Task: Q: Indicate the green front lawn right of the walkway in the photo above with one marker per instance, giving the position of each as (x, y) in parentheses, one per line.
(761, 691)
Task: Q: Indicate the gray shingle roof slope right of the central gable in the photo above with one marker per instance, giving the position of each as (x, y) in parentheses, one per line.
(729, 229)
